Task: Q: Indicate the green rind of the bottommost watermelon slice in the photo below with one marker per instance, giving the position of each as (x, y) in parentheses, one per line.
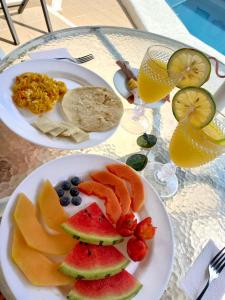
(73, 295)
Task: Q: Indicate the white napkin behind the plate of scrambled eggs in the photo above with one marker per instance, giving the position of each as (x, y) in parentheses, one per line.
(49, 54)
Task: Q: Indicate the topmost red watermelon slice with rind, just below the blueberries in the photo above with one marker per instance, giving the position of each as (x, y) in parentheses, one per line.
(90, 225)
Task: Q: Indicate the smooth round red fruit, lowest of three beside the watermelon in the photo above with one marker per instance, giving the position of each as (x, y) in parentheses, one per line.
(136, 249)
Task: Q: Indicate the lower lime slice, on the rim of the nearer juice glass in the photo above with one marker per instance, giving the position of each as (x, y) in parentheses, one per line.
(195, 105)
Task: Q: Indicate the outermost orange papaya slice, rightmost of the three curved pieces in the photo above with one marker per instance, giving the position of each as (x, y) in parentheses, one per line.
(137, 187)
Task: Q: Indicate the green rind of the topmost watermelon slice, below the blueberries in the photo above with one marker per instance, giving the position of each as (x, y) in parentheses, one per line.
(92, 238)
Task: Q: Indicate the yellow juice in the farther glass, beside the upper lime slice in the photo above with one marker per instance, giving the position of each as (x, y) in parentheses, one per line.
(153, 81)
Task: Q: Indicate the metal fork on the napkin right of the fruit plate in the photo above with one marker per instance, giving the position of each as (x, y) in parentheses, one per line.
(216, 266)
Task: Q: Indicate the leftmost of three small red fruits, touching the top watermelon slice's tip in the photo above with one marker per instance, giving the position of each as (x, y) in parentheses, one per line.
(126, 224)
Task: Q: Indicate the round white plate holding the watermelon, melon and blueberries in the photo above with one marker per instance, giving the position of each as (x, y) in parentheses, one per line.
(153, 272)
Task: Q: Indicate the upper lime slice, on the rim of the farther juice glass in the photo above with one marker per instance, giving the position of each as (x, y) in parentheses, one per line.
(191, 65)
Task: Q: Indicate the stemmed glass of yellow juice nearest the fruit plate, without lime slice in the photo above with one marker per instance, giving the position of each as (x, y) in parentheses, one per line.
(189, 147)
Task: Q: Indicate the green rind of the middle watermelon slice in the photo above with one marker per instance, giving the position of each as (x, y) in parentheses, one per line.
(93, 274)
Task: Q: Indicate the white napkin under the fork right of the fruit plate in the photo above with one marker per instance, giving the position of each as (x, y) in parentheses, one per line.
(196, 278)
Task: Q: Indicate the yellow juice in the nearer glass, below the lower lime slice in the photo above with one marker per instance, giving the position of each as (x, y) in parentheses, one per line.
(190, 147)
